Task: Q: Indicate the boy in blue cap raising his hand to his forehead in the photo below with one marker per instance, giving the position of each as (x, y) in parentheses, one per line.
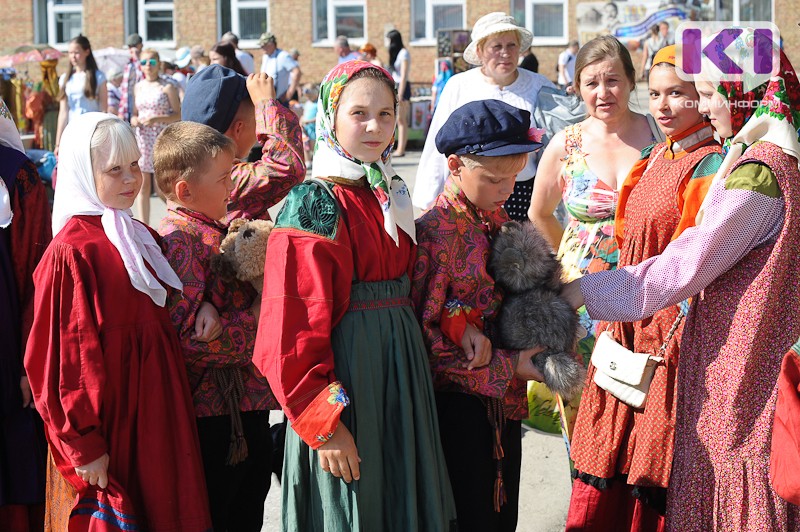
(247, 111)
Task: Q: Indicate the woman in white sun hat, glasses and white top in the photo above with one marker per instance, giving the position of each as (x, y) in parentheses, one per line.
(495, 48)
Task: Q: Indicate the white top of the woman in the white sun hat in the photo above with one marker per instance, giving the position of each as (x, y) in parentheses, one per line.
(463, 88)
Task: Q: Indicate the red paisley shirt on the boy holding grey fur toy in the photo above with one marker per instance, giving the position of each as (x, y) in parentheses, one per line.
(450, 277)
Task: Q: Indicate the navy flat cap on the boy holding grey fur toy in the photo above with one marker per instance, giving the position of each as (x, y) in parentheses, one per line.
(489, 128)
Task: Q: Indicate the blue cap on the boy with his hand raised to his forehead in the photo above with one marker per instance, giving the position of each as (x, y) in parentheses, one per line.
(213, 96)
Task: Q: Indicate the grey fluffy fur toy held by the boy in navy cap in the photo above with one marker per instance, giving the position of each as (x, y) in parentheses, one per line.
(533, 314)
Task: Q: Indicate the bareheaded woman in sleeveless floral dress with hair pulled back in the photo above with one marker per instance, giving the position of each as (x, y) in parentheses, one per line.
(583, 165)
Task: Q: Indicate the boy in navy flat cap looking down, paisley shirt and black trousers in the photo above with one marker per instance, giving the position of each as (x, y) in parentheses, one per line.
(480, 391)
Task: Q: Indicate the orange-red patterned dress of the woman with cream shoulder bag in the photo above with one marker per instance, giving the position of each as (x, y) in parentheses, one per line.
(658, 200)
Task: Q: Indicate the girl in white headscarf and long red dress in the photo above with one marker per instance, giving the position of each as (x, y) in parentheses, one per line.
(103, 359)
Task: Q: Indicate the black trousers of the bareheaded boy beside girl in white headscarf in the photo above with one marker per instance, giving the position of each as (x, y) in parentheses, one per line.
(236, 494)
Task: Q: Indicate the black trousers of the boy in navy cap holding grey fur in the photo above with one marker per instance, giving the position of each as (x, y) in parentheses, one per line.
(468, 442)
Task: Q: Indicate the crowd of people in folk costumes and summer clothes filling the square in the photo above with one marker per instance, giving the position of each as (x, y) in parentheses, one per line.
(138, 377)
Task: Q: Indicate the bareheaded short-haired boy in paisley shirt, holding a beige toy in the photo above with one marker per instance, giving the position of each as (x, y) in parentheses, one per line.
(231, 398)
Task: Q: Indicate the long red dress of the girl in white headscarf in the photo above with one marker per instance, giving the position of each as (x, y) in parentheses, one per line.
(107, 375)
